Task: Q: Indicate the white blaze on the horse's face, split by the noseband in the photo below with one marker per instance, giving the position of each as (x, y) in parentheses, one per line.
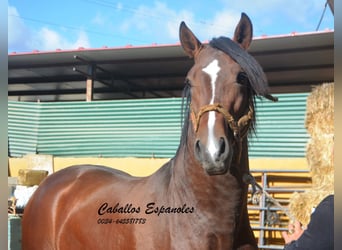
(212, 69)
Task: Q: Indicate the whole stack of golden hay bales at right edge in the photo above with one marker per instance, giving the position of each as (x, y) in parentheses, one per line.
(319, 153)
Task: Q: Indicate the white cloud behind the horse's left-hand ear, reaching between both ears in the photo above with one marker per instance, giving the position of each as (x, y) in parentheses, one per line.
(161, 23)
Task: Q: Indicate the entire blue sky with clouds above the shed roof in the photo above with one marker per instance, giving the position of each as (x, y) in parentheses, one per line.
(51, 25)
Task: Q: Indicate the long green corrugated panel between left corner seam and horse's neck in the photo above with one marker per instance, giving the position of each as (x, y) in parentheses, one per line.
(140, 128)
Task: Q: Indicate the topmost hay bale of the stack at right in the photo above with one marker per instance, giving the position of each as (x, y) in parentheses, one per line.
(320, 110)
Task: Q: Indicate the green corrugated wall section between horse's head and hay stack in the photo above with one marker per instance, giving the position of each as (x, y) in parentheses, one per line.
(280, 127)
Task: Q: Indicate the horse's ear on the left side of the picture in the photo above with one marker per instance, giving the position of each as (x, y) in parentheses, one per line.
(191, 45)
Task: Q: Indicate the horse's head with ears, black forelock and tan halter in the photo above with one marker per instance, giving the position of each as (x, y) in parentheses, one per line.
(223, 80)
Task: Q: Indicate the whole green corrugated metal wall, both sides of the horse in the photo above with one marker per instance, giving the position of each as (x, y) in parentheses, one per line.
(141, 128)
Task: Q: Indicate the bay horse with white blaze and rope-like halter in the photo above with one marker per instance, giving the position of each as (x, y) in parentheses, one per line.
(197, 200)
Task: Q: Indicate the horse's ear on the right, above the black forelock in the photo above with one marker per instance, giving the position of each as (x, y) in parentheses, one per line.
(244, 32)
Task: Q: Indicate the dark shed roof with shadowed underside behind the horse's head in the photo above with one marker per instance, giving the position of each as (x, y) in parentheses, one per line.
(292, 64)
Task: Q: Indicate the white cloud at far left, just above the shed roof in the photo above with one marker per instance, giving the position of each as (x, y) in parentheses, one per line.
(21, 37)
